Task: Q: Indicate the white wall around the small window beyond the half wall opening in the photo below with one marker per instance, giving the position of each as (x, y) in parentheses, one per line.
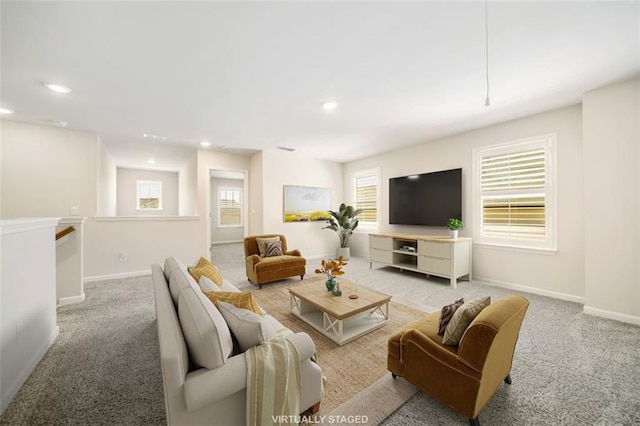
(127, 192)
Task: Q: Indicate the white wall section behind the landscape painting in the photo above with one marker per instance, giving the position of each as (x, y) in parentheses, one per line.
(281, 168)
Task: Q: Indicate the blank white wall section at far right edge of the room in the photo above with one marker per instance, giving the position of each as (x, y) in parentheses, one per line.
(612, 191)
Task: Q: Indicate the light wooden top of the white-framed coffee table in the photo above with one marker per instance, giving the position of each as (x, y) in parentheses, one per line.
(314, 292)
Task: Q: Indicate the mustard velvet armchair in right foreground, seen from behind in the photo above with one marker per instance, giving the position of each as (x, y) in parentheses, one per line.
(463, 377)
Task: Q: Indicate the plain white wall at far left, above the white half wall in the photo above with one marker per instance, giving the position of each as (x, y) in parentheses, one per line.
(46, 171)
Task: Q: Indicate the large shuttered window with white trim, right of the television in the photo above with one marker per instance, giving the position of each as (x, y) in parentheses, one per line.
(515, 202)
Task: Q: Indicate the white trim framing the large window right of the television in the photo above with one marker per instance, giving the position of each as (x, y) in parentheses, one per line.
(550, 244)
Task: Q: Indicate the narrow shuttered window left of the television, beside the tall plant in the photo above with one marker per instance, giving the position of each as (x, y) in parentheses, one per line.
(366, 196)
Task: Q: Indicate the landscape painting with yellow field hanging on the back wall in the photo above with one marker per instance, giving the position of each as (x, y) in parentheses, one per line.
(306, 203)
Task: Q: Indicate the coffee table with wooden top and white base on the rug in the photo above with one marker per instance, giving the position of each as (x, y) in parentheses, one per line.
(339, 318)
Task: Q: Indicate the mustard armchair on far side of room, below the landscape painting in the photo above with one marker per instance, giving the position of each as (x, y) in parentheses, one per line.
(262, 270)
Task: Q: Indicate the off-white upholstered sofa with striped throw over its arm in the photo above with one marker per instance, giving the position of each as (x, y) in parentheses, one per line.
(216, 395)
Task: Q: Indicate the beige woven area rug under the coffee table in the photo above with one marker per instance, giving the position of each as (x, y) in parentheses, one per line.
(354, 369)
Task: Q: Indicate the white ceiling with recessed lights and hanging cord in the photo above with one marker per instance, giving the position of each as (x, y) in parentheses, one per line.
(252, 75)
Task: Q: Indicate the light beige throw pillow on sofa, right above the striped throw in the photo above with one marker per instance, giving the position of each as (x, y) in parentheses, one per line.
(249, 328)
